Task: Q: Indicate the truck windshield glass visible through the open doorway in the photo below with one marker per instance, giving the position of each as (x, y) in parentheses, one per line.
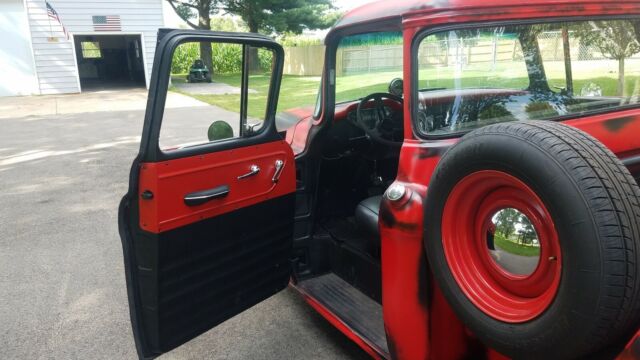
(366, 63)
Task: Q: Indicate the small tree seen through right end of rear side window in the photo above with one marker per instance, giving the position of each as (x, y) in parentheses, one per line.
(615, 39)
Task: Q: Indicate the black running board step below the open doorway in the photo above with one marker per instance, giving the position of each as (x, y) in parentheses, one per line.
(355, 309)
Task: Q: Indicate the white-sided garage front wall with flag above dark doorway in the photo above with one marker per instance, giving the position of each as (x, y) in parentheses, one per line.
(55, 61)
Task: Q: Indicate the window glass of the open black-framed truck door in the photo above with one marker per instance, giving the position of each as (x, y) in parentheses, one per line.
(205, 92)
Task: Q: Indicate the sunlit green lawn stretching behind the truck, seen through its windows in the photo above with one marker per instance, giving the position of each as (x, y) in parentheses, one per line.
(299, 91)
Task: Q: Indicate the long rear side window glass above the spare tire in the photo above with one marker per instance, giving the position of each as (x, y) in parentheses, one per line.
(471, 78)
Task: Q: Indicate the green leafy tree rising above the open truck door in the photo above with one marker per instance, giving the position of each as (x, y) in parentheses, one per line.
(265, 16)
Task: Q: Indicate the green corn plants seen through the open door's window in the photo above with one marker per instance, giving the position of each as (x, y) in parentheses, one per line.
(227, 58)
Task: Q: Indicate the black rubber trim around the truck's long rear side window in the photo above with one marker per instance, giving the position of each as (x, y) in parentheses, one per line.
(425, 32)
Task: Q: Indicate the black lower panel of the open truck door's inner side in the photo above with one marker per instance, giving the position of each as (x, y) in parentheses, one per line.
(209, 271)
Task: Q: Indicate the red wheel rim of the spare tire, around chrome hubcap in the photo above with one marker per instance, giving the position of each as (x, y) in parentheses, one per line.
(502, 295)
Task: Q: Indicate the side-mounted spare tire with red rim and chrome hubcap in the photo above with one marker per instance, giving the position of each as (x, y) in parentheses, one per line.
(582, 296)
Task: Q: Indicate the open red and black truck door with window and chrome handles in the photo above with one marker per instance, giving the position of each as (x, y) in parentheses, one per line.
(207, 223)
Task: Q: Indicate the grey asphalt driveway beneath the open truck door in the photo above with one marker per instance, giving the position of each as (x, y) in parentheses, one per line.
(64, 163)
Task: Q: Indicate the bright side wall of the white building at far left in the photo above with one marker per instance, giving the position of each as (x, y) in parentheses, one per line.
(17, 70)
